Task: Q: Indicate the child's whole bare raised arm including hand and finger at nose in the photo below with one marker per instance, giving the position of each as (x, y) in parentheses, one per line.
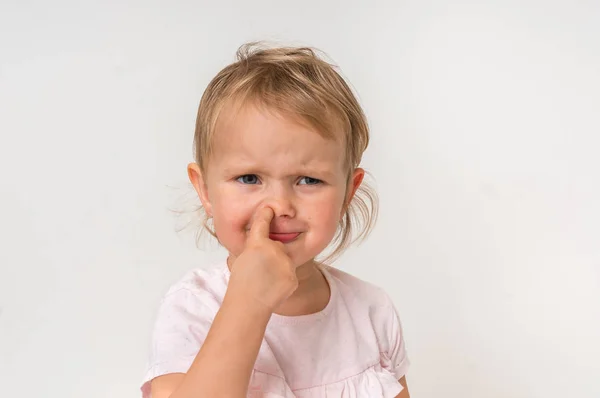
(262, 277)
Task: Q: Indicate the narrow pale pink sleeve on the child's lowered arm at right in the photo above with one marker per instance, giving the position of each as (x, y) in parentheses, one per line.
(393, 355)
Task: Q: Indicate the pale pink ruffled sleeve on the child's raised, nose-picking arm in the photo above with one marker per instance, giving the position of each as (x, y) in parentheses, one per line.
(180, 329)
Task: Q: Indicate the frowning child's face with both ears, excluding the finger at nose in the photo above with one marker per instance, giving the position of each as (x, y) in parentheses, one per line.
(261, 158)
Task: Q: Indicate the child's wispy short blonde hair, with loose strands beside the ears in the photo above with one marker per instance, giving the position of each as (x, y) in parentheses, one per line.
(295, 82)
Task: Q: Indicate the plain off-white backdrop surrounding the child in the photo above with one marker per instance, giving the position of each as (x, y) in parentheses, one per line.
(485, 139)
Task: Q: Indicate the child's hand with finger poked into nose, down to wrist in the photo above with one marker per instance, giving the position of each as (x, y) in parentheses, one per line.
(263, 272)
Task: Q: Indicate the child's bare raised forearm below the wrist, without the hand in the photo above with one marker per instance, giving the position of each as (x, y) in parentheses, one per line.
(224, 364)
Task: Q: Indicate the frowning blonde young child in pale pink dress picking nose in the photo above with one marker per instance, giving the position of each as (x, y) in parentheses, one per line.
(279, 138)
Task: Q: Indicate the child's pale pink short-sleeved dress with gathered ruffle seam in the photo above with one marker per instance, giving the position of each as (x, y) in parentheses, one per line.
(353, 348)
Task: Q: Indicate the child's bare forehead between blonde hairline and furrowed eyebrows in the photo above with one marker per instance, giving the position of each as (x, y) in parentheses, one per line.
(257, 135)
